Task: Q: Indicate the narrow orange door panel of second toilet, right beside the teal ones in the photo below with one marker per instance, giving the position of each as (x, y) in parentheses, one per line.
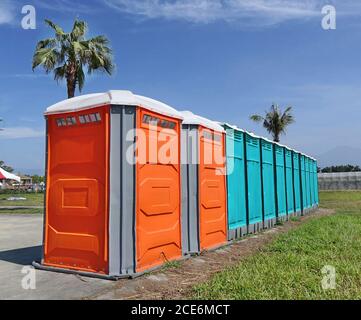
(212, 190)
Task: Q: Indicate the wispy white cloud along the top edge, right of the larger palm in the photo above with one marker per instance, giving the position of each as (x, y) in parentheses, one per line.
(244, 12)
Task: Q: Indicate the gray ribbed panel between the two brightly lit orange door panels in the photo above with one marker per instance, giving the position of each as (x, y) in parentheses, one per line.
(190, 197)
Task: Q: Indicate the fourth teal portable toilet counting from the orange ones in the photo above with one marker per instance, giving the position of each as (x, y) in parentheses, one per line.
(280, 181)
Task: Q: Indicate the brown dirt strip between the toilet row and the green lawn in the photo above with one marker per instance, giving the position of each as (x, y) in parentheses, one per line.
(177, 283)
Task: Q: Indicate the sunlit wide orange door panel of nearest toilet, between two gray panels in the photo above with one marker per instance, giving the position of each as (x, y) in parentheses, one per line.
(158, 233)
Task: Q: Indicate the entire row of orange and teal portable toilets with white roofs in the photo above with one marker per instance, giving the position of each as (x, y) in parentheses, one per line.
(115, 208)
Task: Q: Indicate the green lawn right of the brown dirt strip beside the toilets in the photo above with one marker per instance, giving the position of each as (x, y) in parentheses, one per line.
(290, 267)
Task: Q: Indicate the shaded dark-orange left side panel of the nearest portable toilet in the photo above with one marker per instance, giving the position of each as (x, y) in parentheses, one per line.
(77, 184)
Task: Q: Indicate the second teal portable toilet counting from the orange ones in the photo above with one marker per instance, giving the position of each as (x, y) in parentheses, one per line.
(254, 188)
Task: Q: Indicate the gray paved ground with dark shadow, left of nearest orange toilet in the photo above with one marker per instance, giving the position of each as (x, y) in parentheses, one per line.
(20, 244)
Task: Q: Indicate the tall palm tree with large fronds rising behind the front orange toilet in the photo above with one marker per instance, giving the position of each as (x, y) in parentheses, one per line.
(68, 53)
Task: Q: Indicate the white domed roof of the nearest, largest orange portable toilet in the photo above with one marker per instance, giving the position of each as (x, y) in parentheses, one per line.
(116, 97)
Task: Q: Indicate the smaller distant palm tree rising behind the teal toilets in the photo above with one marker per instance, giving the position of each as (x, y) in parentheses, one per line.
(275, 121)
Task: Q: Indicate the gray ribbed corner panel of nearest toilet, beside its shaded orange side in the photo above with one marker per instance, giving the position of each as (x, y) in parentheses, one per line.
(122, 194)
